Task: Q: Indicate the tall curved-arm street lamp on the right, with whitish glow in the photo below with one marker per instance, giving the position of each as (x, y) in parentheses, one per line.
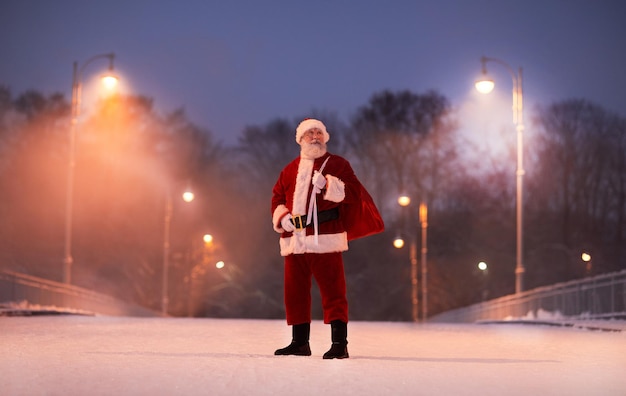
(486, 85)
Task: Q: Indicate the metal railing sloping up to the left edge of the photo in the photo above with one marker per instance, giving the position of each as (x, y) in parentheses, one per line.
(26, 292)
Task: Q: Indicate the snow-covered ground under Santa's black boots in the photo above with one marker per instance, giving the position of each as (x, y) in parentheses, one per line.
(85, 355)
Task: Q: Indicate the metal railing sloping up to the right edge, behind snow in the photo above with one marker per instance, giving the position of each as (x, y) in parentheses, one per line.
(598, 297)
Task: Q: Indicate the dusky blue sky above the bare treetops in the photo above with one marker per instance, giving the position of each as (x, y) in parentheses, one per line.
(236, 63)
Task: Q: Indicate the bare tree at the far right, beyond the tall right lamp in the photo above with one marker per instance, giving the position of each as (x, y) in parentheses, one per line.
(578, 193)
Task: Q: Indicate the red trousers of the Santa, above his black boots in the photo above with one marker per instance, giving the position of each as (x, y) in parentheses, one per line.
(327, 268)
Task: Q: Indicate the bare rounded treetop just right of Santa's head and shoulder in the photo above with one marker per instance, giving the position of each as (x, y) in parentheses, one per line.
(401, 143)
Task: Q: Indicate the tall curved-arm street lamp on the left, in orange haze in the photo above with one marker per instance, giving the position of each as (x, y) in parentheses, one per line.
(109, 81)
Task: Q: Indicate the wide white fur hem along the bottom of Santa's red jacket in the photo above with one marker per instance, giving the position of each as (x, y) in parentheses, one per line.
(300, 243)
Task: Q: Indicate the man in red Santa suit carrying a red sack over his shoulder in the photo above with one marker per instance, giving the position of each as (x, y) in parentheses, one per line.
(318, 205)
